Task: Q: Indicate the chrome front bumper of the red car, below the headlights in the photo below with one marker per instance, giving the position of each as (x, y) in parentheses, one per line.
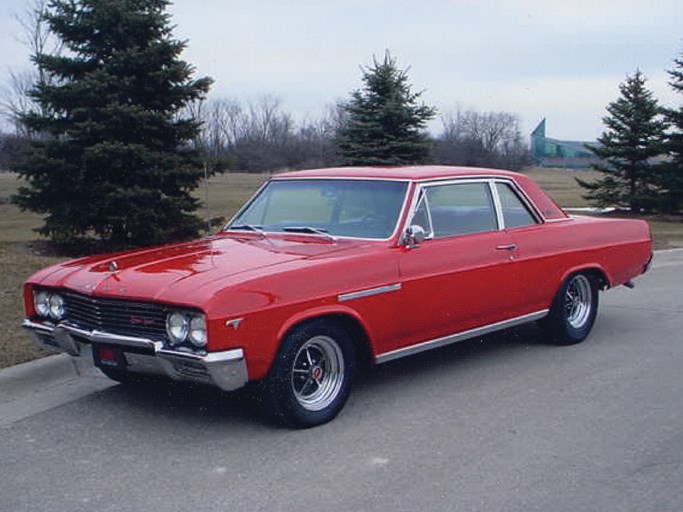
(226, 369)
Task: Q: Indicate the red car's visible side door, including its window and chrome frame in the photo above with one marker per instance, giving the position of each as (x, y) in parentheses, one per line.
(462, 276)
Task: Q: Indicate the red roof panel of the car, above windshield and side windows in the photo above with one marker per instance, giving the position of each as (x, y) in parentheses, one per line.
(411, 173)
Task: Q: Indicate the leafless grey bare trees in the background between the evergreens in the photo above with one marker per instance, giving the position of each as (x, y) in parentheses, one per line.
(262, 136)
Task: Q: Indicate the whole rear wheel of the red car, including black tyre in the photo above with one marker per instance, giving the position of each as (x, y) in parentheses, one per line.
(573, 311)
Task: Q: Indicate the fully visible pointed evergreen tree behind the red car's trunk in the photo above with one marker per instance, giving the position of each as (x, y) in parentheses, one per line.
(633, 137)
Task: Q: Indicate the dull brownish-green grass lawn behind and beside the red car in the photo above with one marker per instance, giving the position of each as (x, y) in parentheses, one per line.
(19, 259)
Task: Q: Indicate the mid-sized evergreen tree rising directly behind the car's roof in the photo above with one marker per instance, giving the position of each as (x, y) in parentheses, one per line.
(384, 122)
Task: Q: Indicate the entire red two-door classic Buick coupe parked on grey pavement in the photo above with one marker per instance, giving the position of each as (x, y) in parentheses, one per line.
(323, 270)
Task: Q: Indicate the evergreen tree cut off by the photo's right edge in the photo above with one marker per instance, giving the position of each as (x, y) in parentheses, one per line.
(671, 179)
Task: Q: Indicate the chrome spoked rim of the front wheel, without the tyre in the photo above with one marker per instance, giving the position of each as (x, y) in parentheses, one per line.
(317, 373)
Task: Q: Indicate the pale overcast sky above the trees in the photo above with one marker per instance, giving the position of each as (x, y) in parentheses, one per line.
(562, 60)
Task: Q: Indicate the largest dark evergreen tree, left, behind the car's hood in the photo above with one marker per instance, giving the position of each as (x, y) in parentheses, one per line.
(113, 165)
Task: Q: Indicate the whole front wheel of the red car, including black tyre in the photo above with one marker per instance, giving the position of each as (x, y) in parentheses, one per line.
(312, 375)
